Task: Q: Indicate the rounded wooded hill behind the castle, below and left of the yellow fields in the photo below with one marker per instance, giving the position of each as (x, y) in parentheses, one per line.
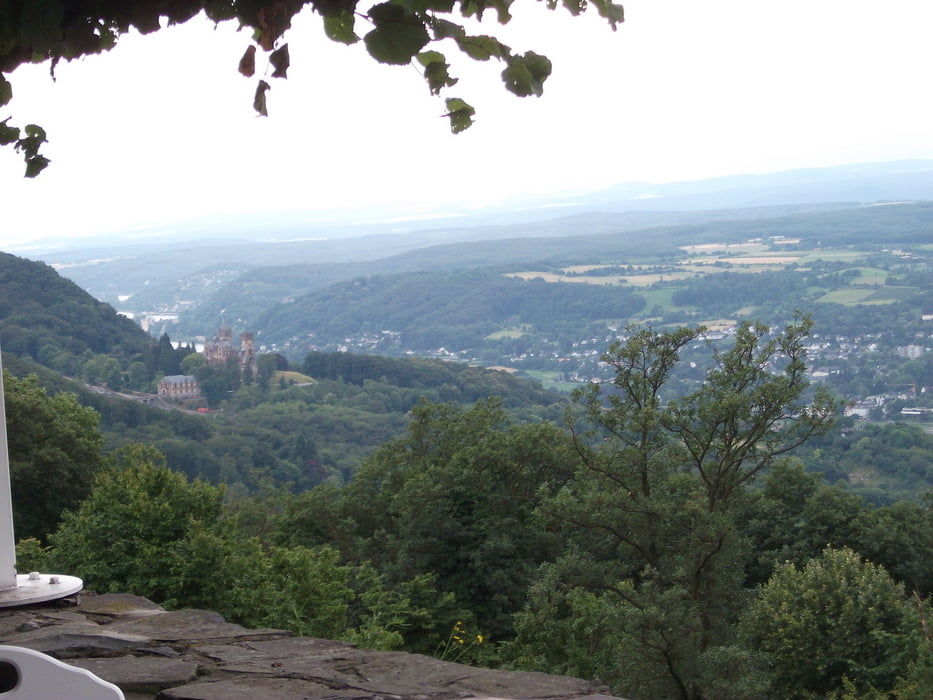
(434, 309)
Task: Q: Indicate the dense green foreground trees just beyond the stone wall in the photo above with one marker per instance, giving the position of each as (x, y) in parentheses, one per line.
(668, 546)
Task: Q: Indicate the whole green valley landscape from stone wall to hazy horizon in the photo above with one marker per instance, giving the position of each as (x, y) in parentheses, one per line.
(450, 433)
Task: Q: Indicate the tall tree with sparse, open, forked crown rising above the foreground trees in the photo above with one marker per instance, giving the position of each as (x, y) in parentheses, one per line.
(651, 505)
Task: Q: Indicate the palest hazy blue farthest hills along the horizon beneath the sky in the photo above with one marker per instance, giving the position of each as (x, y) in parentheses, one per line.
(182, 267)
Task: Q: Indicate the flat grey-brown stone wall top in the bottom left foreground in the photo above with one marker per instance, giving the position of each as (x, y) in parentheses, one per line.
(151, 653)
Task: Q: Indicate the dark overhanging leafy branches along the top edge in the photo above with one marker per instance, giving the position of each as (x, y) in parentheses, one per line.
(396, 32)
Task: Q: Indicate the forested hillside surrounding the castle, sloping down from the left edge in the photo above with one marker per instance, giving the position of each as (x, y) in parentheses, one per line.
(267, 431)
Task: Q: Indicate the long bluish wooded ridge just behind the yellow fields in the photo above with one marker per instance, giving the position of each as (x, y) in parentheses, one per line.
(568, 240)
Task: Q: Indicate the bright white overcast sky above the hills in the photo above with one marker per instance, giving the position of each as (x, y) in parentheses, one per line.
(161, 131)
